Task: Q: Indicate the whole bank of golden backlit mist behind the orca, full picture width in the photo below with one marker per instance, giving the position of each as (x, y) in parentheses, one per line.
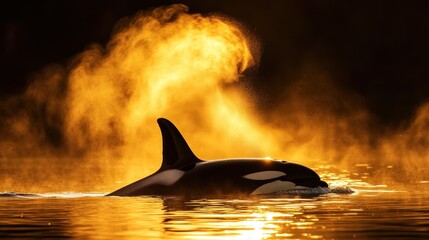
(94, 121)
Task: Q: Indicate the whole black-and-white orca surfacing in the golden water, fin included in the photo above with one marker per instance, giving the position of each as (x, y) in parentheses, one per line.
(183, 174)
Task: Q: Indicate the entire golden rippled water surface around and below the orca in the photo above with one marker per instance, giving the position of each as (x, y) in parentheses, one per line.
(374, 211)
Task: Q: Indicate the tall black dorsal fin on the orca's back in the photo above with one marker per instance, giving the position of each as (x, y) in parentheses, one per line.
(175, 151)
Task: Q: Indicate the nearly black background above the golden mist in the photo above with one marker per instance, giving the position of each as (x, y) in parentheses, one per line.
(377, 50)
